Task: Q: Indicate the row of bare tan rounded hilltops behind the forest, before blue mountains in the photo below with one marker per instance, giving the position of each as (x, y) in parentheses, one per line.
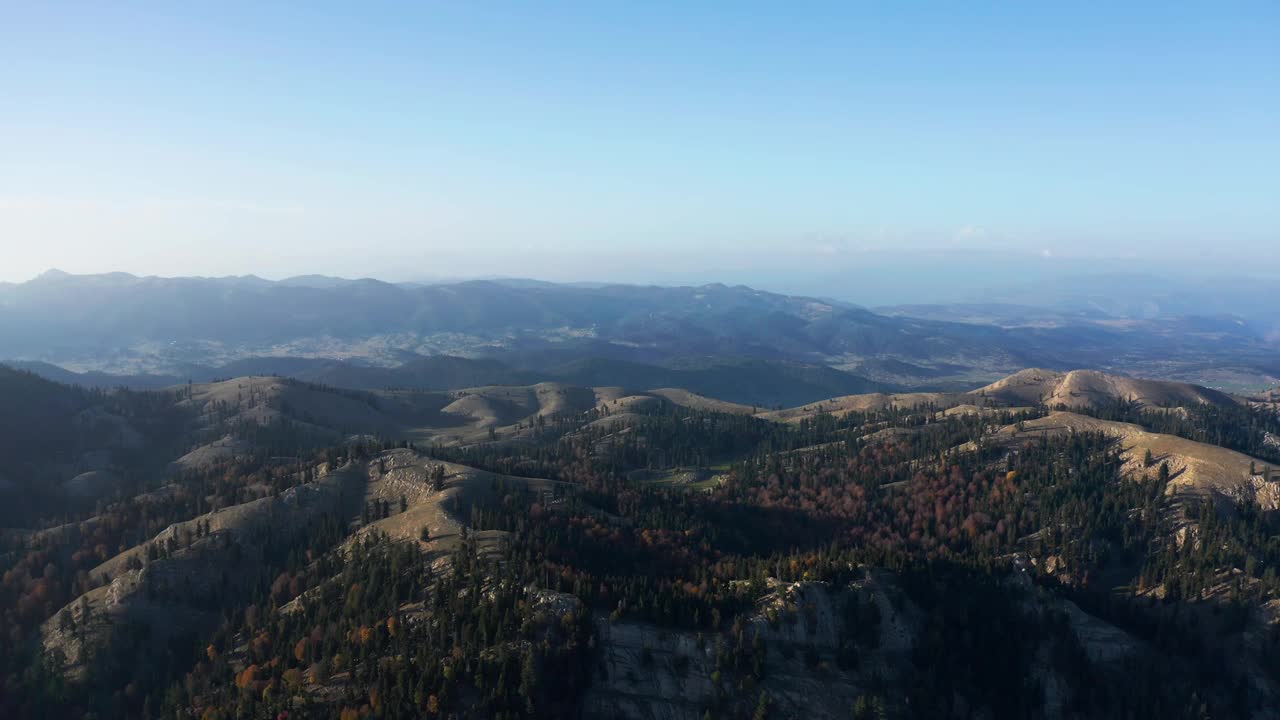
(514, 413)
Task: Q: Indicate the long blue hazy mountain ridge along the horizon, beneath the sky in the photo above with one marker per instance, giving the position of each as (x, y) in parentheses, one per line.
(127, 323)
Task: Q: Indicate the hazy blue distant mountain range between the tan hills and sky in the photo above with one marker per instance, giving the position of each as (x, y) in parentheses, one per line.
(182, 327)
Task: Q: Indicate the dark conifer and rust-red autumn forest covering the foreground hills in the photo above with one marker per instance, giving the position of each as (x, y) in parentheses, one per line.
(994, 552)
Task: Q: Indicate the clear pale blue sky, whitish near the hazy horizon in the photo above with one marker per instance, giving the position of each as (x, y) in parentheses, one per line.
(779, 145)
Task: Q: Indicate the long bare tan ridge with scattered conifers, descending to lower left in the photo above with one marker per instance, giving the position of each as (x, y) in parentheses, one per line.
(166, 585)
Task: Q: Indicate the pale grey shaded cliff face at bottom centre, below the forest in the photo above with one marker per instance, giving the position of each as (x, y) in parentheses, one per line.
(651, 673)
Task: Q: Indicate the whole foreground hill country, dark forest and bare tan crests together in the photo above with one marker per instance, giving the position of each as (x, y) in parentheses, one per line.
(668, 549)
